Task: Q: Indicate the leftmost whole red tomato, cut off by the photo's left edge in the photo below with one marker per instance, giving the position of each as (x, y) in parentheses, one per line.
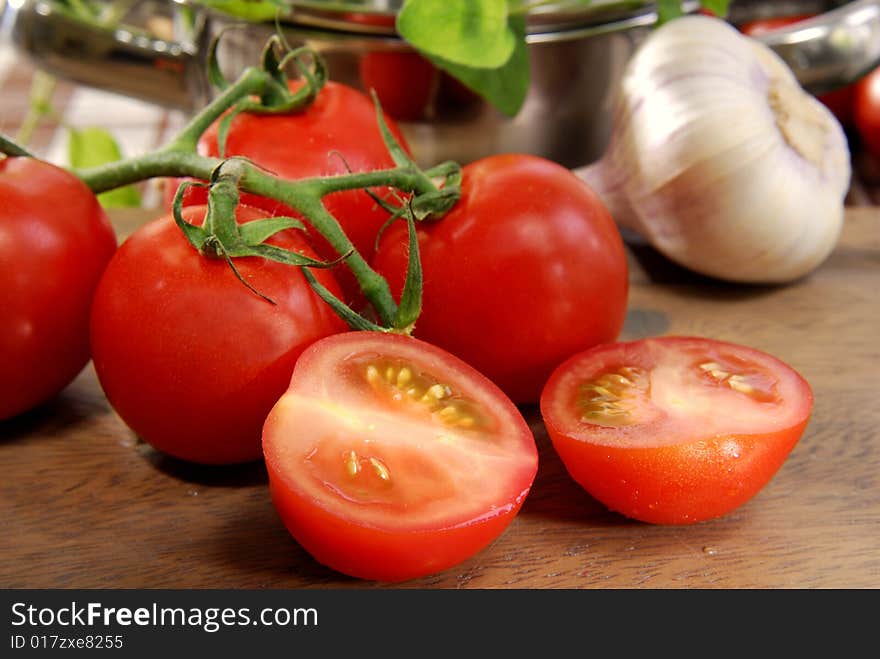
(55, 241)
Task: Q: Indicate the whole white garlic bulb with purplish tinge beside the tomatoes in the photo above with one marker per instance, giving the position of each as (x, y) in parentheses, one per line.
(720, 159)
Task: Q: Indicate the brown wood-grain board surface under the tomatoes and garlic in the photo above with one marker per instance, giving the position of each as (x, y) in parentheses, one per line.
(84, 504)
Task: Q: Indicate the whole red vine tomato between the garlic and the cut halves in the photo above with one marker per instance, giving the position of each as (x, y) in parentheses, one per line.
(527, 269)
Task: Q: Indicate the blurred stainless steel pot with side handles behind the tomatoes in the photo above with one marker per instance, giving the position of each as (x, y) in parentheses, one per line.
(576, 57)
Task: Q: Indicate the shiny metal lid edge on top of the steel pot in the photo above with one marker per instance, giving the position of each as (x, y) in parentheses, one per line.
(377, 16)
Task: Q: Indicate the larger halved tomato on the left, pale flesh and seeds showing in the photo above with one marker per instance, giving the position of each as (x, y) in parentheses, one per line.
(390, 459)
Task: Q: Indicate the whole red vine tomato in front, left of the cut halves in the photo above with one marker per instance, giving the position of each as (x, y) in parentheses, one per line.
(188, 356)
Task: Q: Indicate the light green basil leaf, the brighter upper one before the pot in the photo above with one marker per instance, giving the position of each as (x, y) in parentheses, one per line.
(463, 32)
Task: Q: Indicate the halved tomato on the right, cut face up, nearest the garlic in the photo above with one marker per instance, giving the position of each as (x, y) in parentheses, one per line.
(674, 430)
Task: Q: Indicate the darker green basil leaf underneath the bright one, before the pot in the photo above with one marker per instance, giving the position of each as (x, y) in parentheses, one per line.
(504, 87)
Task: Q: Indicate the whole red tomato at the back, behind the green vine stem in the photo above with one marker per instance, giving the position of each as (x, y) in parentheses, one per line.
(337, 133)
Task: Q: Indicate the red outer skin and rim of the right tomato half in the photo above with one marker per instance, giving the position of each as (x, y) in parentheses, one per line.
(699, 476)
